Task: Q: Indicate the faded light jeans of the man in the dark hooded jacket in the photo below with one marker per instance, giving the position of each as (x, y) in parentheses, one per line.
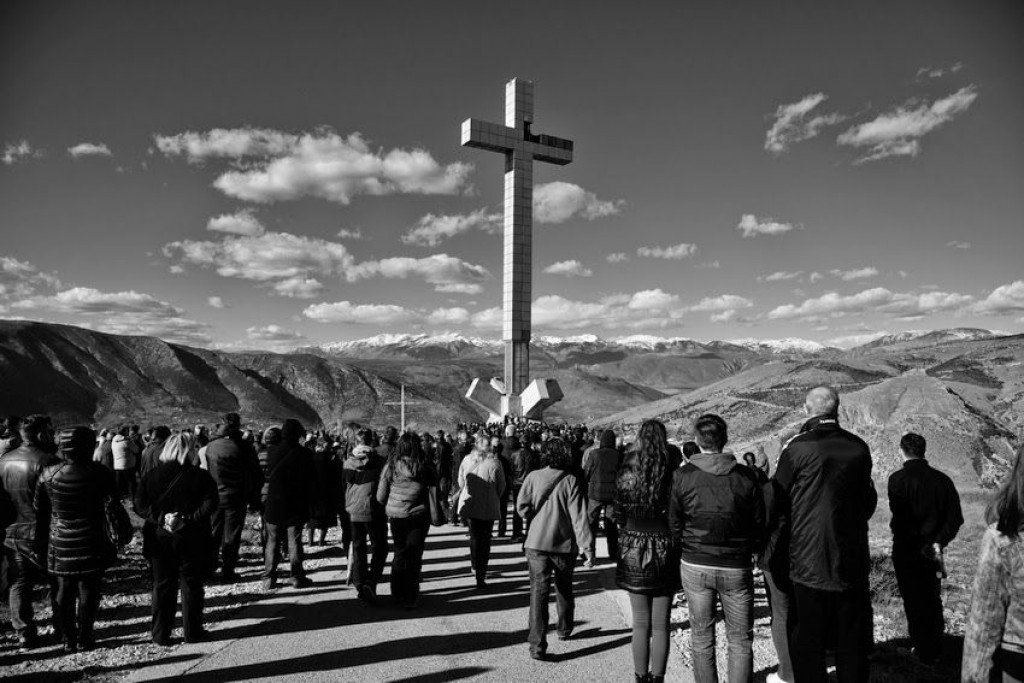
(736, 589)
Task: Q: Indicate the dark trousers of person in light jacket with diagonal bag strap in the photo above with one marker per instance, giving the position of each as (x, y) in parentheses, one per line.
(542, 568)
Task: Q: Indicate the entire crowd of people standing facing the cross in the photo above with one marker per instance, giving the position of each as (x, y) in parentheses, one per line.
(698, 521)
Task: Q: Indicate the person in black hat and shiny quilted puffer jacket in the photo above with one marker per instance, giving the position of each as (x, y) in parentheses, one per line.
(71, 502)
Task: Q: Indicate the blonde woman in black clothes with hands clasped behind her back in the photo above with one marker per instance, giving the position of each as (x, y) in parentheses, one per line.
(177, 501)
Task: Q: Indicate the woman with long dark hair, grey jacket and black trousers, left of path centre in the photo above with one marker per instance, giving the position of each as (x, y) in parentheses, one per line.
(404, 493)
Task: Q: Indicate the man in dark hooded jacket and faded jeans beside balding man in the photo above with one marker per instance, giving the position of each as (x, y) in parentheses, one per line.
(717, 516)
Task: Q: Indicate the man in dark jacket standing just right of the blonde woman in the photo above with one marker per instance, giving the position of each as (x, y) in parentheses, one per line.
(234, 465)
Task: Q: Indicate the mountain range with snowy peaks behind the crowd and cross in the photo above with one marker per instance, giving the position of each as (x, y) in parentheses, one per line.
(963, 389)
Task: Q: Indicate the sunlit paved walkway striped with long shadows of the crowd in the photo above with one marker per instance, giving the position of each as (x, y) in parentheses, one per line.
(457, 633)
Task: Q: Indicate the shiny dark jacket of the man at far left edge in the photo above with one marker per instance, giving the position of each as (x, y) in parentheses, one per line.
(20, 473)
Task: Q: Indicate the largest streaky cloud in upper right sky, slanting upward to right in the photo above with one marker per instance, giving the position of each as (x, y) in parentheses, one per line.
(898, 134)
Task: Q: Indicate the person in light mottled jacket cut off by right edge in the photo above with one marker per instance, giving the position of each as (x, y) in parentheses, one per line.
(995, 638)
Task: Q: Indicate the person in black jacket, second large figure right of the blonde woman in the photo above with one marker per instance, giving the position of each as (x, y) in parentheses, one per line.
(289, 497)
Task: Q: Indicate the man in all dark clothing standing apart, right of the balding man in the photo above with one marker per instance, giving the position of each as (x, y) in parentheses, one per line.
(926, 518)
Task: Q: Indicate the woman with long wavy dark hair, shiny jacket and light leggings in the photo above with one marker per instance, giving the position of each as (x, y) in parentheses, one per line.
(649, 561)
